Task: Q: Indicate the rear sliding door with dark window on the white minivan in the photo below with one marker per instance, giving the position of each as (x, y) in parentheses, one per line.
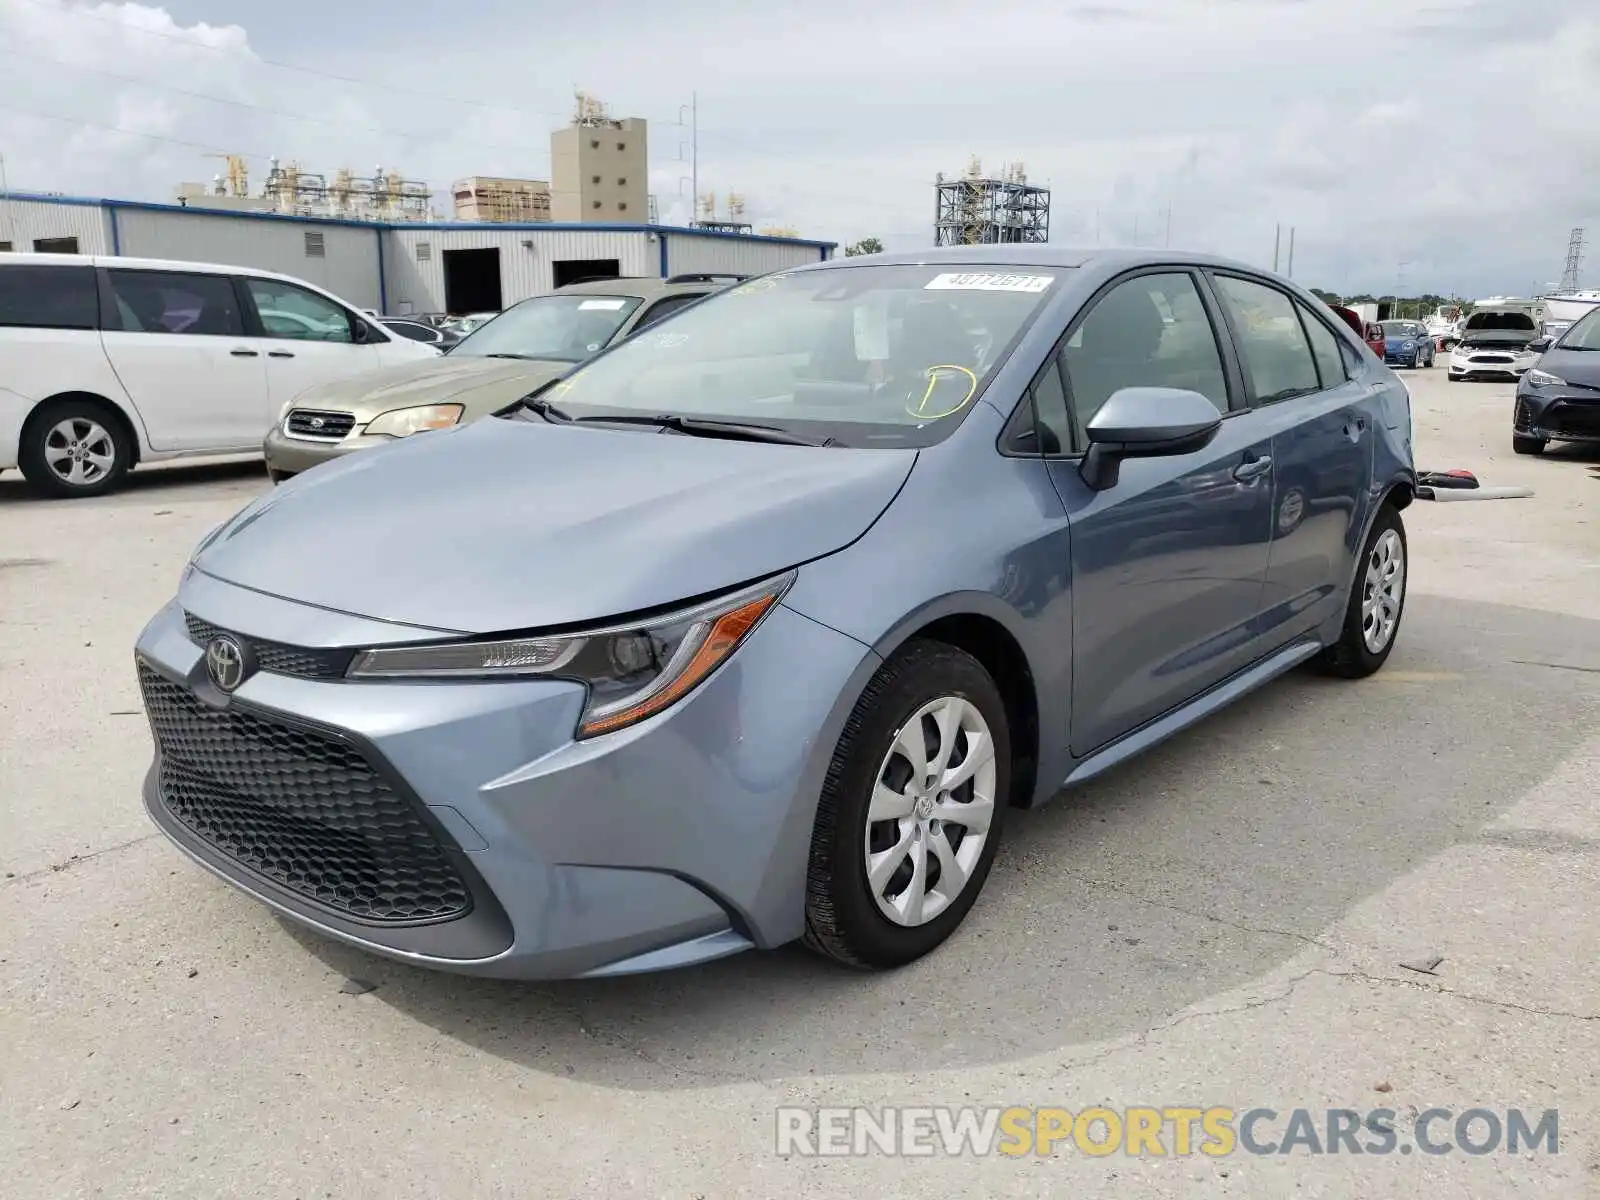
(177, 342)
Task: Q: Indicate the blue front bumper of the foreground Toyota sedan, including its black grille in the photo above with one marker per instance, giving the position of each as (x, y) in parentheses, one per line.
(678, 841)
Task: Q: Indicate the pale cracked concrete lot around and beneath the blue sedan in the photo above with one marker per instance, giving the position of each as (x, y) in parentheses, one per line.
(1222, 922)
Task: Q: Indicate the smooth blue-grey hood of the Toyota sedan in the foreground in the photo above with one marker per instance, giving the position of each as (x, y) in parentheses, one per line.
(506, 526)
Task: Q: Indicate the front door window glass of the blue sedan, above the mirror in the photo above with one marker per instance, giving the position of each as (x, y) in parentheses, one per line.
(1151, 332)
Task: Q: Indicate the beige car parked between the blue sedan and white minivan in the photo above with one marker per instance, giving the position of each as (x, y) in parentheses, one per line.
(524, 348)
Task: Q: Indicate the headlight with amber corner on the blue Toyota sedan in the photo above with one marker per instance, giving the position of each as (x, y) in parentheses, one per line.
(634, 671)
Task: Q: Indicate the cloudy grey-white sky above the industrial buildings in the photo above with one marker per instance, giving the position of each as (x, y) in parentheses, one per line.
(1439, 145)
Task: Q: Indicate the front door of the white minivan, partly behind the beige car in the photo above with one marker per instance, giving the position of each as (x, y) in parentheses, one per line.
(306, 340)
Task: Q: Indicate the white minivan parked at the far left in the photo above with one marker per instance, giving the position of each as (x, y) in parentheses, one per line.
(110, 362)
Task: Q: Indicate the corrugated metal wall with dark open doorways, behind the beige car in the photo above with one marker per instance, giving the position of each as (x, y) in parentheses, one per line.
(420, 282)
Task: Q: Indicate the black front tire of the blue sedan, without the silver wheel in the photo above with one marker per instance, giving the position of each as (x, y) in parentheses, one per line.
(842, 918)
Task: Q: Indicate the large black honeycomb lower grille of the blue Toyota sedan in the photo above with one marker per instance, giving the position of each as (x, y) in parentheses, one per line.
(305, 810)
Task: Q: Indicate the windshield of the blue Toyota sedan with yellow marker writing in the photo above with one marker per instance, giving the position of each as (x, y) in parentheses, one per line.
(863, 354)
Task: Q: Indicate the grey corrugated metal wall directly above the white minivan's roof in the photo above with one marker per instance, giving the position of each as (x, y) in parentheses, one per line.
(348, 266)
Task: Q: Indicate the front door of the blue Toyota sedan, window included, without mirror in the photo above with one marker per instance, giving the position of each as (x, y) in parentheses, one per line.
(1169, 562)
